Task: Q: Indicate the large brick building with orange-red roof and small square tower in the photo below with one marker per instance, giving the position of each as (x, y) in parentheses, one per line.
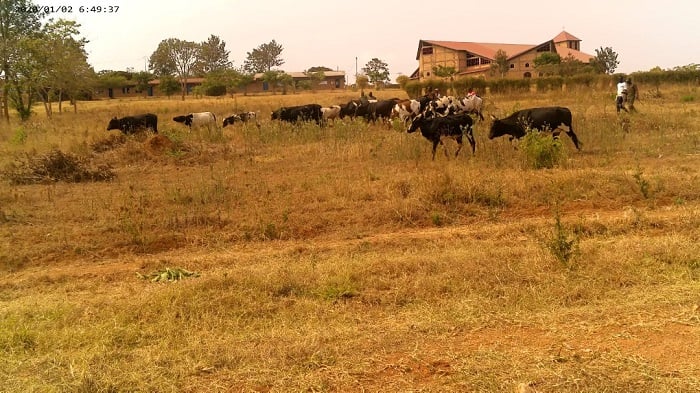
(475, 58)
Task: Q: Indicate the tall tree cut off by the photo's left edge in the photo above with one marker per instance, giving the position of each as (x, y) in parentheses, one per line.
(15, 26)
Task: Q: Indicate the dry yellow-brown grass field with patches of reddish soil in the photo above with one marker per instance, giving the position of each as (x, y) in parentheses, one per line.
(342, 259)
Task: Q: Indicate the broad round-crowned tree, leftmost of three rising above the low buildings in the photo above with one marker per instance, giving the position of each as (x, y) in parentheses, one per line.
(174, 56)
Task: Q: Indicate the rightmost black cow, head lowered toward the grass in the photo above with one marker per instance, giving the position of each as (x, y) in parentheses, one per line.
(552, 118)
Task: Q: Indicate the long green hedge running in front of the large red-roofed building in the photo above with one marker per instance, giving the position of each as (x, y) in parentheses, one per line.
(460, 86)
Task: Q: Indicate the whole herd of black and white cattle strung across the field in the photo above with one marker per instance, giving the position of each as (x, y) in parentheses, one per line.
(437, 118)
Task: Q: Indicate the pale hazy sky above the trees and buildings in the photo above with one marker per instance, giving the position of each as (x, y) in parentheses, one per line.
(644, 33)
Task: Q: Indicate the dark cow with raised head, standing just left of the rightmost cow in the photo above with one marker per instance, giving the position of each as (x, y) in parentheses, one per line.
(452, 126)
